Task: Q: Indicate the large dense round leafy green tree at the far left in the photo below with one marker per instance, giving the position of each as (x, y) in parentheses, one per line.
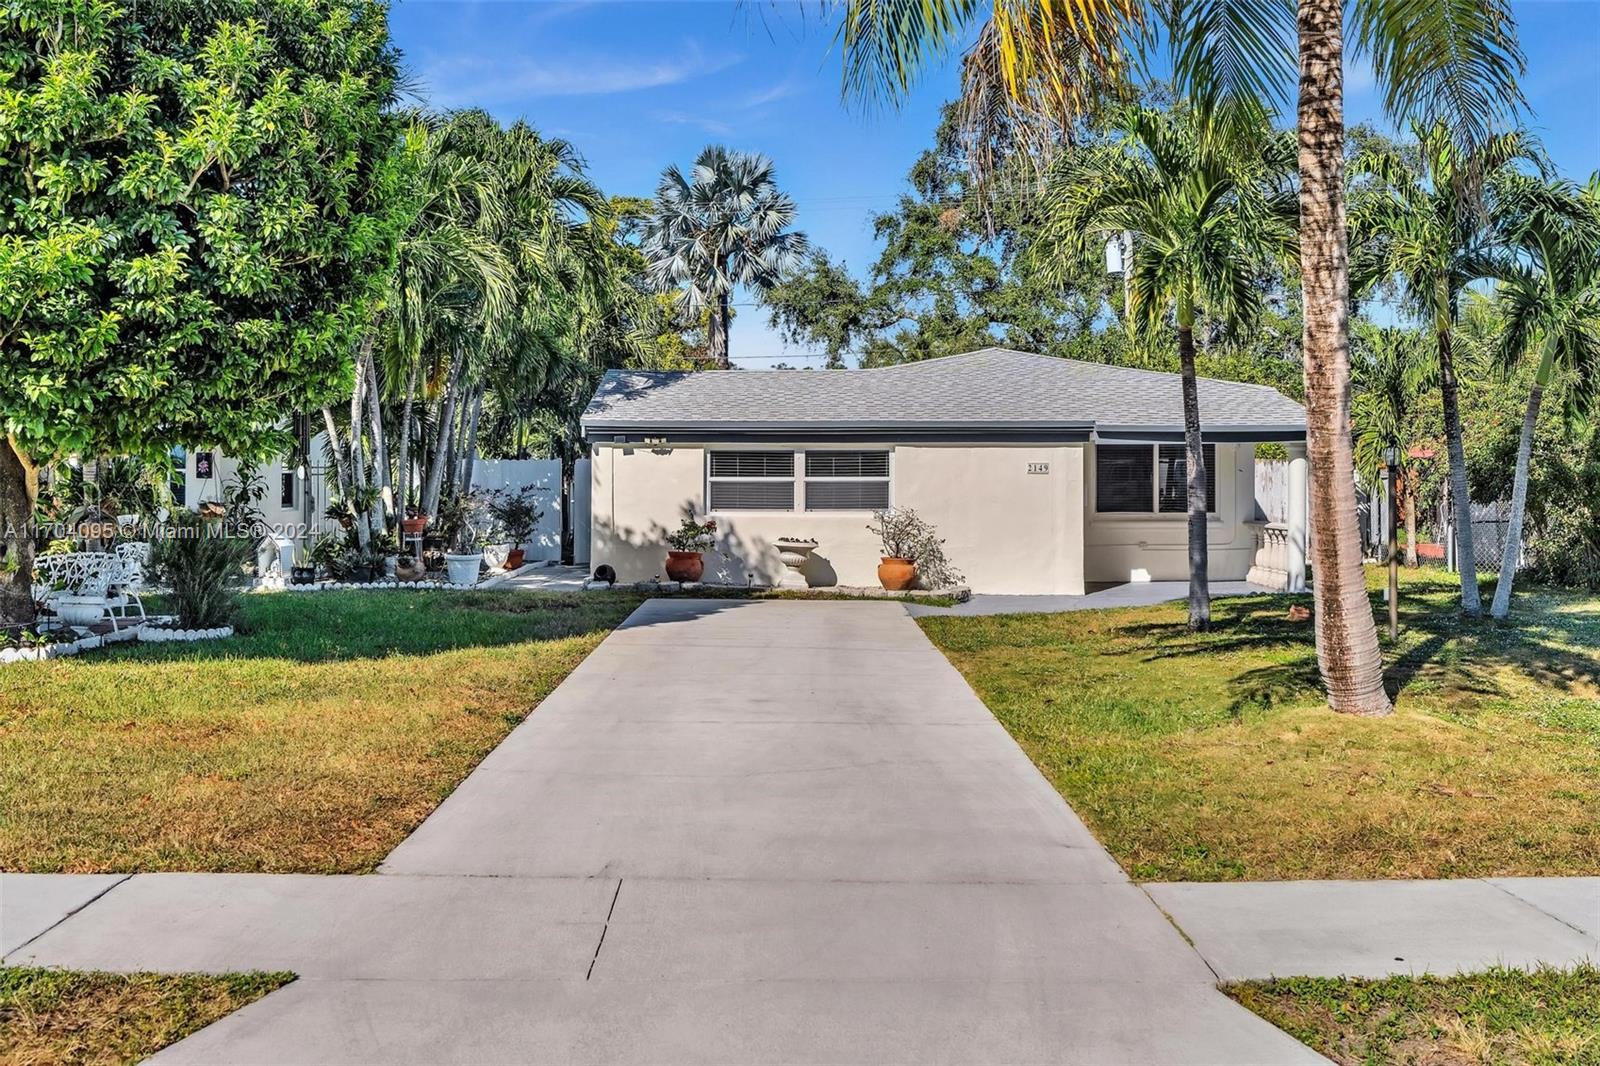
(194, 223)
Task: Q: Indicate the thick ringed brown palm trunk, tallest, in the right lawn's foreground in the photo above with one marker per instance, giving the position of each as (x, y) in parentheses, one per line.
(1348, 654)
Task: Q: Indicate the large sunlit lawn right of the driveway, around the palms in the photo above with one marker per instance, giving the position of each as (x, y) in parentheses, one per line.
(1212, 758)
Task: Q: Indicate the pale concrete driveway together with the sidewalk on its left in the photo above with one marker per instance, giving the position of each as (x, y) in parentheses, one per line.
(740, 833)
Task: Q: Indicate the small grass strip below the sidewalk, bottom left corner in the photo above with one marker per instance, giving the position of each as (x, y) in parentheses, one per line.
(70, 1017)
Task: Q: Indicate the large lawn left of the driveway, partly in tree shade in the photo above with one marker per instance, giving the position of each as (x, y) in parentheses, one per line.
(313, 743)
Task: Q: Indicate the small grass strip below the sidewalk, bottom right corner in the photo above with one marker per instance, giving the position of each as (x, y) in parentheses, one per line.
(1551, 1017)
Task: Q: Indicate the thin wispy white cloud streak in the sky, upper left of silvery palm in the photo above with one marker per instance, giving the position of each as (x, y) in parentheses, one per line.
(478, 81)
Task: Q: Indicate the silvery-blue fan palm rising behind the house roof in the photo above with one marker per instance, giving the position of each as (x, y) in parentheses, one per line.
(726, 225)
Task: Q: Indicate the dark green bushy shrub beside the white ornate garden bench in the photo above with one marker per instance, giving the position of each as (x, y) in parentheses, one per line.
(202, 561)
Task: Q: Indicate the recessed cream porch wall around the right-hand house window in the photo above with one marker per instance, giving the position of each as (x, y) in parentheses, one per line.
(1118, 545)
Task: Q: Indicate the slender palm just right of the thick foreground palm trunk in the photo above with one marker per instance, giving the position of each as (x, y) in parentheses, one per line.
(1423, 225)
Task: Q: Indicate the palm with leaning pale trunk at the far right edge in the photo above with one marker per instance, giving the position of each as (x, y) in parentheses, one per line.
(1551, 305)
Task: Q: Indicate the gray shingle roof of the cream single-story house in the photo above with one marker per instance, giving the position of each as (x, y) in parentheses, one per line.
(990, 388)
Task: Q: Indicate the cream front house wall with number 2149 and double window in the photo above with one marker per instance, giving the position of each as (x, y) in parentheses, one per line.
(1007, 531)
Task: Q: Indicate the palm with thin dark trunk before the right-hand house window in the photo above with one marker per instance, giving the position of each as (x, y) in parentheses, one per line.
(1198, 199)
